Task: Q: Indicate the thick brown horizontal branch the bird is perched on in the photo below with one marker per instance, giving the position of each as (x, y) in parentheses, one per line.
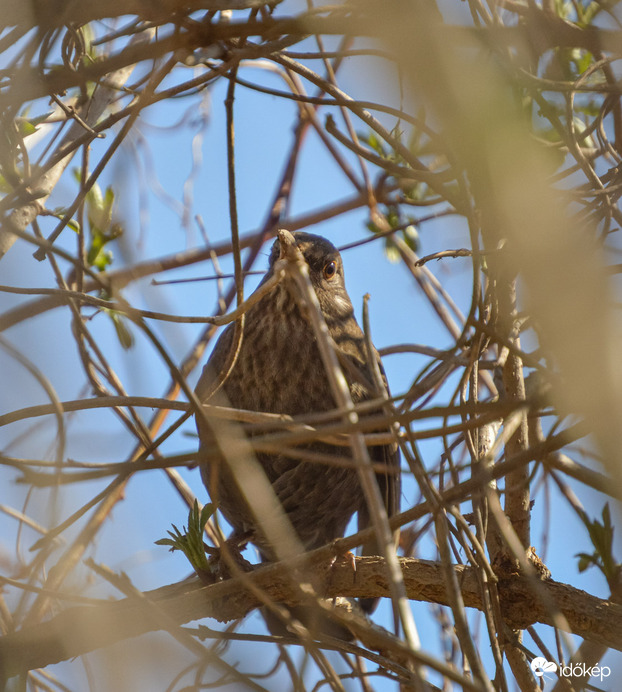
(85, 628)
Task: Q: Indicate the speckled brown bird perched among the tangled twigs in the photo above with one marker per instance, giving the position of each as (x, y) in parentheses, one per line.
(278, 369)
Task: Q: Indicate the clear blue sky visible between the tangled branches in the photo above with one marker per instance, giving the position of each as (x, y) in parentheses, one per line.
(170, 169)
